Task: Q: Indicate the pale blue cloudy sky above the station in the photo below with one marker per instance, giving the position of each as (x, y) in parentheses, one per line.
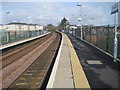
(52, 12)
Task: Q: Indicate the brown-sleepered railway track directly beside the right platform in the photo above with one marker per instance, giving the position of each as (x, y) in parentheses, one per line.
(36, 73)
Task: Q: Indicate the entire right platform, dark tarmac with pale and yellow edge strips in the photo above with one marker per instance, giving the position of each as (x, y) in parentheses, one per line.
(82, 65)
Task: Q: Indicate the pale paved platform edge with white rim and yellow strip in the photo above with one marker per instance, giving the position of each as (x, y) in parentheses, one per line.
(67, 71)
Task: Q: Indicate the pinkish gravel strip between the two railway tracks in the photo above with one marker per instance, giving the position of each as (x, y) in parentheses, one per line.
(12, 71)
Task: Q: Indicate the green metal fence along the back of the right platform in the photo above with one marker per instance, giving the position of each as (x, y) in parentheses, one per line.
(100, 36)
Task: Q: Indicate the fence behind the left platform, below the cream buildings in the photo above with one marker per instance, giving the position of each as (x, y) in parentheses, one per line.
(11, 36)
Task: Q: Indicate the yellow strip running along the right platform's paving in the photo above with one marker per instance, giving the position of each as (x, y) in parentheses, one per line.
(79, 76)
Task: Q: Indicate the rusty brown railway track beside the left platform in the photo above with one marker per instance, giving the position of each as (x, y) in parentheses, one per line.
(13, 54)
